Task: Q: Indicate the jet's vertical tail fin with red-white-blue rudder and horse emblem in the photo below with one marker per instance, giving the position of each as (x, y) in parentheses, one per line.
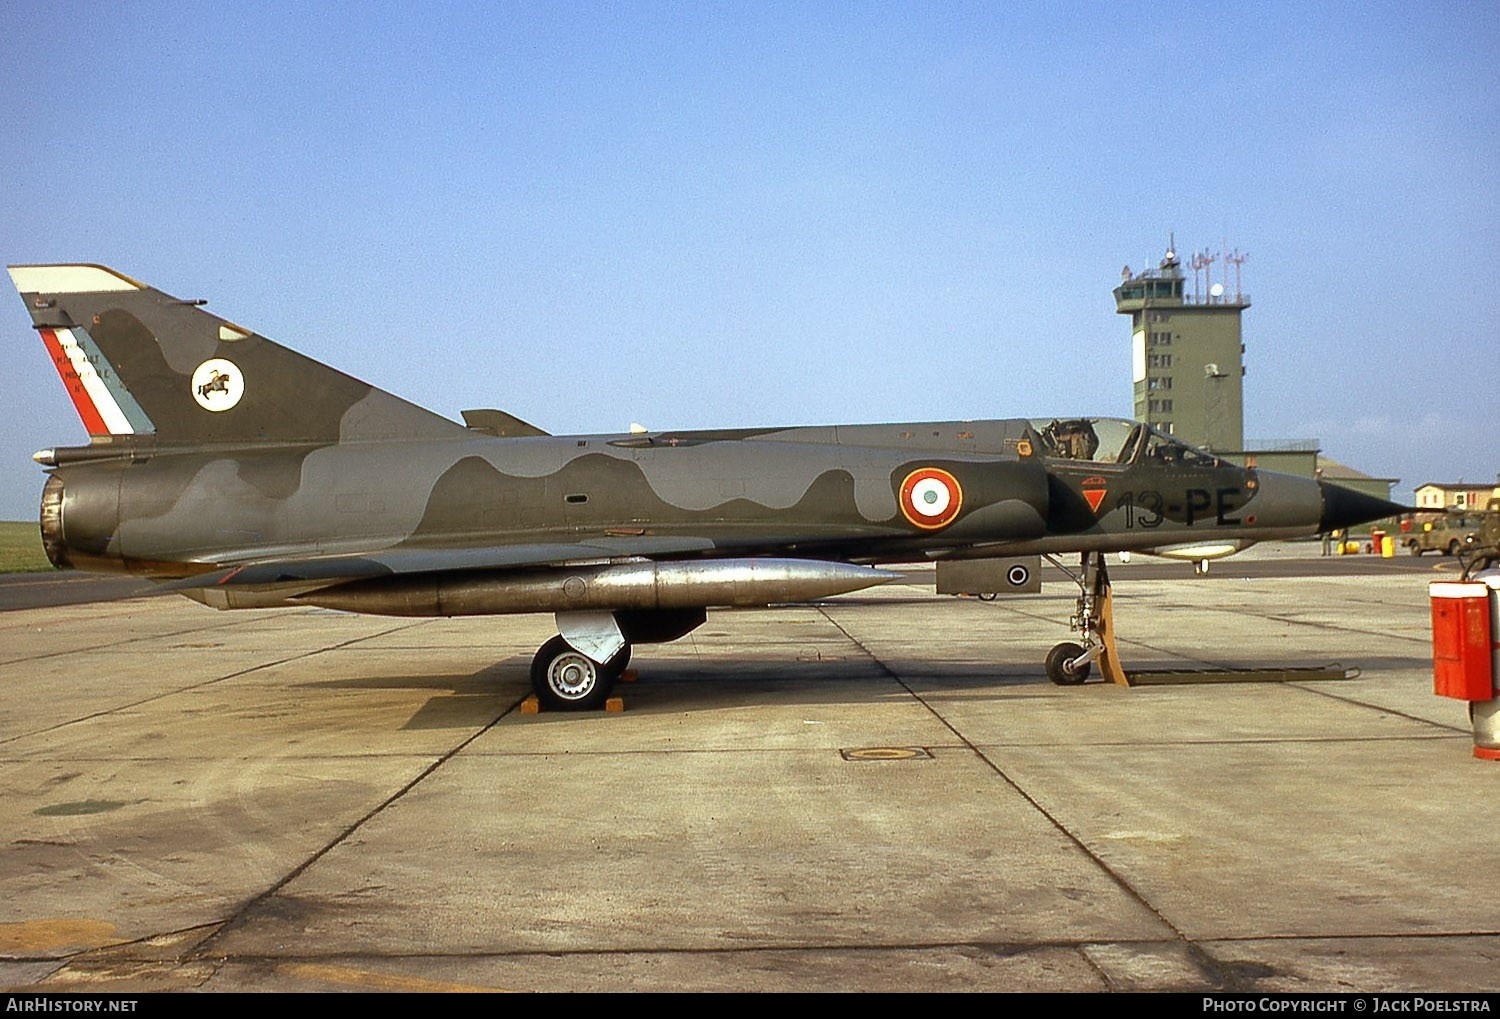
(140, 362)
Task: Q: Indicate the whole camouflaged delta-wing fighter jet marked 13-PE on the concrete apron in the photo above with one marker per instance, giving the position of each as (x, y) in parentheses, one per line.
(245, 475)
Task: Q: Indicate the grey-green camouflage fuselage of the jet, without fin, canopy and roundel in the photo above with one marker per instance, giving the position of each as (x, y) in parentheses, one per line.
(824, 493)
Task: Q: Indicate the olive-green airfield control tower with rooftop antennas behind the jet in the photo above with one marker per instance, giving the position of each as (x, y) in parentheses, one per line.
(1189, 356)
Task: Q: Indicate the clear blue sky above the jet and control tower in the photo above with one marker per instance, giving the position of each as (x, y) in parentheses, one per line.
(772, 214)
